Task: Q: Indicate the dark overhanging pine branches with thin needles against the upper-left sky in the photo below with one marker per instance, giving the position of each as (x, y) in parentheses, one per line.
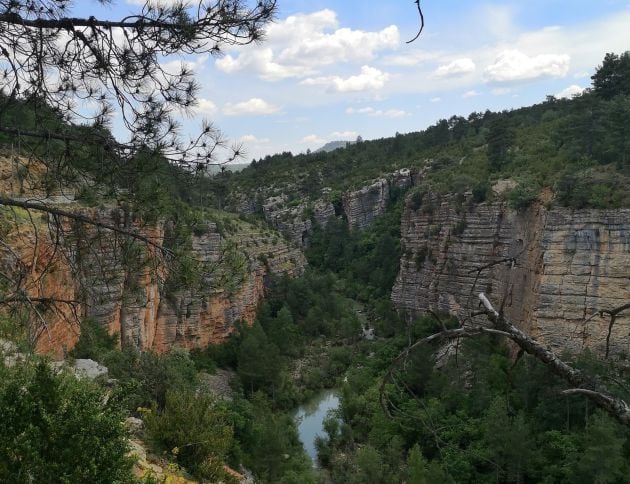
(61, 60)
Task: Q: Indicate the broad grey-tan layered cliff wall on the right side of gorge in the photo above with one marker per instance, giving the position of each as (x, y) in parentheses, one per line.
(569, 265)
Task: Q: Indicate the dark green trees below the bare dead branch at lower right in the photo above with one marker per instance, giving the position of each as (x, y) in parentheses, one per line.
(481, 421)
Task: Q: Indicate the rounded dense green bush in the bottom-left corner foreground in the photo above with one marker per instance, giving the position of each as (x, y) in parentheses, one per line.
(56, 428)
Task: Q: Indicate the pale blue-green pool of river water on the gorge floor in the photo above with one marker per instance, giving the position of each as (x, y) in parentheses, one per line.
(310, 418)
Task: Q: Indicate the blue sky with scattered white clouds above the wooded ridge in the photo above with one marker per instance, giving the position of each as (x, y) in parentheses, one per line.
(336, 69)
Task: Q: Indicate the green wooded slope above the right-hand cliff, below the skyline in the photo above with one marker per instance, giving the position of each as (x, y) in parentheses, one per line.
(577, 147)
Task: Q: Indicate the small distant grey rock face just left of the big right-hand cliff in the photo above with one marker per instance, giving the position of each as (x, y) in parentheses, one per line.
(361, 206)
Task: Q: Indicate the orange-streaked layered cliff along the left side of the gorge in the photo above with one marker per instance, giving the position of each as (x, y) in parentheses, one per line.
(149, 300)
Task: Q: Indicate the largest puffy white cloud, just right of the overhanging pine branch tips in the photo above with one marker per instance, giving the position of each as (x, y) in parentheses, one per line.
(300, 44)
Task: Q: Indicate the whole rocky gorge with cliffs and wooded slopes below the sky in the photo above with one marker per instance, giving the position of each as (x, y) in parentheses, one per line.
(219, 304)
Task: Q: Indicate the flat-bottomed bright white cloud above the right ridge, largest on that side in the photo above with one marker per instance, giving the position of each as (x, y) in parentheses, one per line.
(514, 65)
